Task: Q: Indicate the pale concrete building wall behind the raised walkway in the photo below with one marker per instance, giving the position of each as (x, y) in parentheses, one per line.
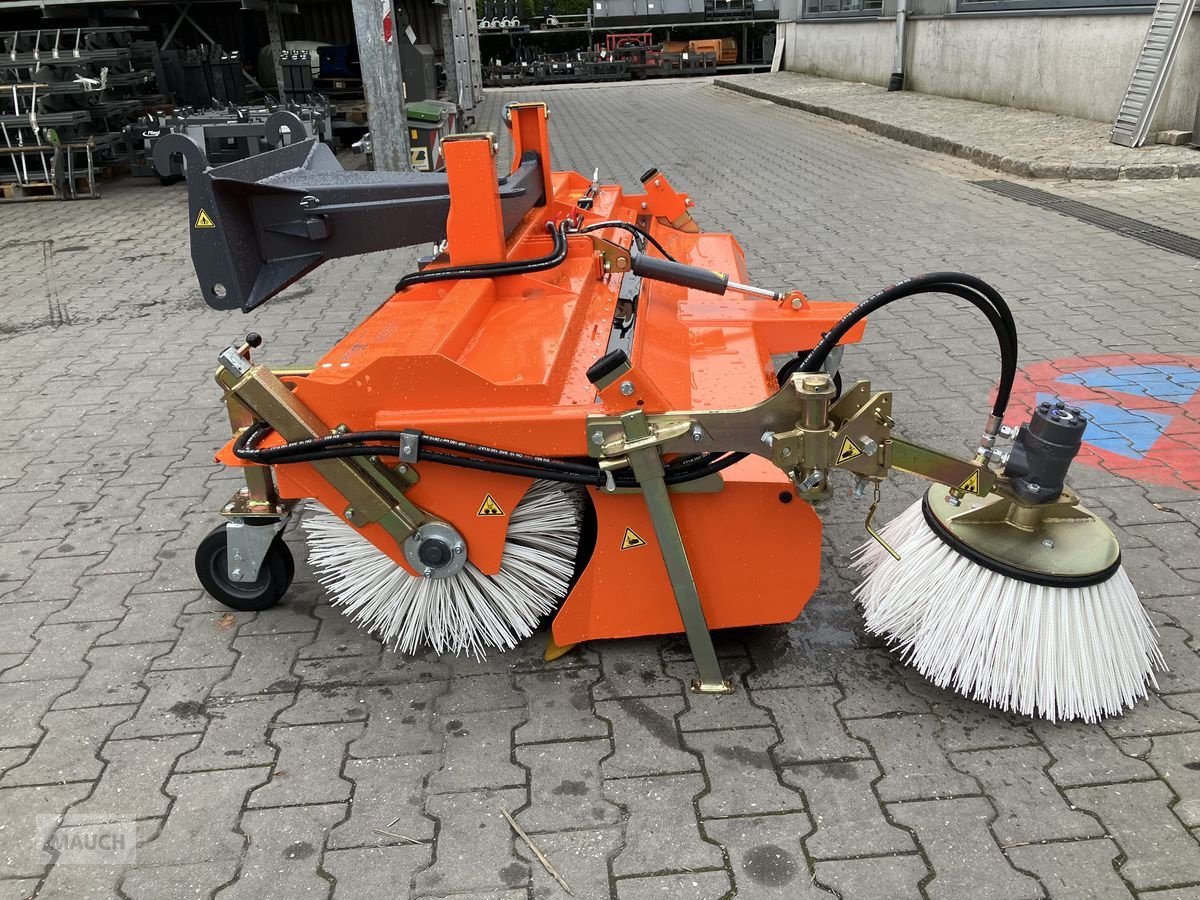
(1076, 65)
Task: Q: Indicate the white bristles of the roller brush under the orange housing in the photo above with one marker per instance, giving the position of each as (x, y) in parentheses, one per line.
(466, 613)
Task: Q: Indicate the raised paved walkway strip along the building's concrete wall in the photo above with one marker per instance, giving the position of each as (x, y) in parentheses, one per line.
(1021, 142)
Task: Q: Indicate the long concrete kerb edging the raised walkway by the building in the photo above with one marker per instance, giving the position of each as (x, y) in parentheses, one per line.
(1022, 167)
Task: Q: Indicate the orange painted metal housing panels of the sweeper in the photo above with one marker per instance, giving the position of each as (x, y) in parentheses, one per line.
(502, 362)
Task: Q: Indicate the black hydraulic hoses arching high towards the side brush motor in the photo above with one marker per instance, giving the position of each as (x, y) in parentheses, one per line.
(975, 291)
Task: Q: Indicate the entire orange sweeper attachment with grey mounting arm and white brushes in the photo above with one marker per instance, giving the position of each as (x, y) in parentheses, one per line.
(574, 409)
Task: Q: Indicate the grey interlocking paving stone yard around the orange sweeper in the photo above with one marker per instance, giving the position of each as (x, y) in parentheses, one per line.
(283, 754)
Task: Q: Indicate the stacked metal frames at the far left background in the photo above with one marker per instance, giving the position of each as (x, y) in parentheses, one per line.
(67, 97)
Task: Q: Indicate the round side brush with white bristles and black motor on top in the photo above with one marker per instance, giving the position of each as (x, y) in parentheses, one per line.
(1017, 599)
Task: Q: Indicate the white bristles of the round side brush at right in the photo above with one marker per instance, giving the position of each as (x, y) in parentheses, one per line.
(1057, 653)
